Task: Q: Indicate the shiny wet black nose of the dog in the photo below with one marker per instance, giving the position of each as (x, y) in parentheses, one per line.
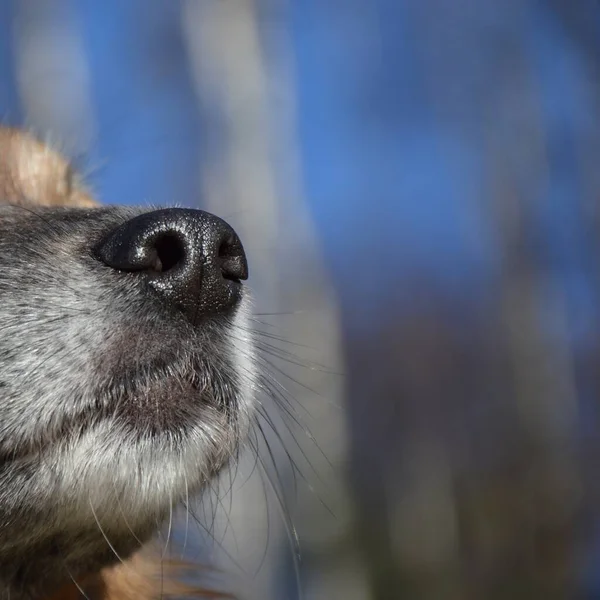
(192, 258)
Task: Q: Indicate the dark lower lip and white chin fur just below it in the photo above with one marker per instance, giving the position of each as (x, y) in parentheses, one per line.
(177, 423)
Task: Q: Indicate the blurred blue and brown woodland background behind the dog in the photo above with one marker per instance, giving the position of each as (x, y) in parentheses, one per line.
(416, 183)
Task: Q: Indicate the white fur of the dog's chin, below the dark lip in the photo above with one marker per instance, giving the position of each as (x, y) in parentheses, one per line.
(121, 481)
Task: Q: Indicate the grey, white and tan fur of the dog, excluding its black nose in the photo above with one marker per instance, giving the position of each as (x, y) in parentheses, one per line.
(112, 410)
